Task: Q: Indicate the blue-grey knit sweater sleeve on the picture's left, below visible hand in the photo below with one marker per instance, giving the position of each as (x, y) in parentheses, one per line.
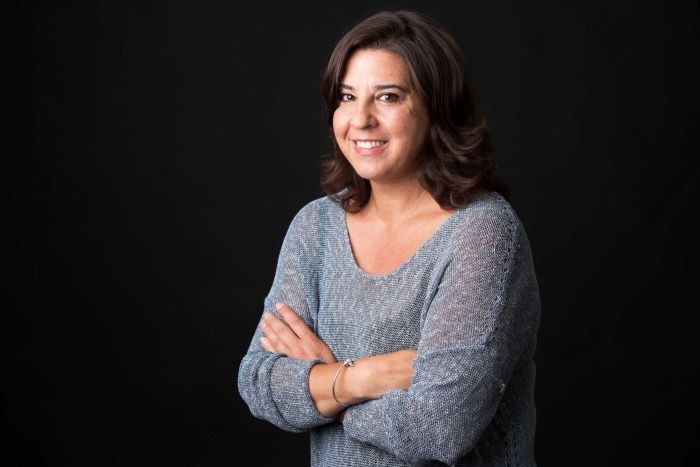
(274, 387)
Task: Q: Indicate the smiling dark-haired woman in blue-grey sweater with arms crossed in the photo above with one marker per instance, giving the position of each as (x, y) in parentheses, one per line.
(402, 320)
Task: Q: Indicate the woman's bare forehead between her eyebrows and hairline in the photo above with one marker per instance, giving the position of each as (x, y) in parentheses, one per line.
(370, 66)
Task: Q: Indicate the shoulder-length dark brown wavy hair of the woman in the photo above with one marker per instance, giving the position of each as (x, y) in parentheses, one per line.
(459, 156)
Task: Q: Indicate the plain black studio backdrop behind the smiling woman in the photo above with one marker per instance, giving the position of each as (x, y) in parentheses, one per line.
(153, 154)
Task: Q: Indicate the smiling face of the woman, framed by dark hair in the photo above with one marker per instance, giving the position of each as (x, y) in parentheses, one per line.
(381, 122)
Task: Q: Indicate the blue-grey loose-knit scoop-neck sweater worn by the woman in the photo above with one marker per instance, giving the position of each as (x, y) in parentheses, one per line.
(467, 300)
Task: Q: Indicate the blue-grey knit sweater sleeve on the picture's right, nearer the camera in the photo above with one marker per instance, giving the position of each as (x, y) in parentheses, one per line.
(481, 319)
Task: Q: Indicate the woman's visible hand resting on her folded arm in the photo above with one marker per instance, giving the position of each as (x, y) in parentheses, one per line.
(292, 337)
